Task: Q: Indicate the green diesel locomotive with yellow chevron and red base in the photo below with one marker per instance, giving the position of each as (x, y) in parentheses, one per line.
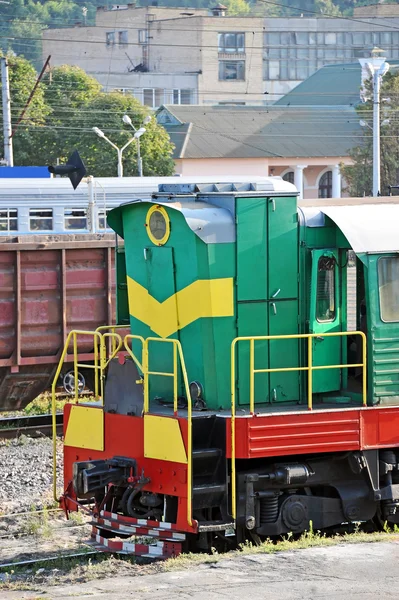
(257, 387)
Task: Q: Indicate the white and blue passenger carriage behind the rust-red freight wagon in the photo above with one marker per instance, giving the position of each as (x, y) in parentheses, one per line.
(51, 206)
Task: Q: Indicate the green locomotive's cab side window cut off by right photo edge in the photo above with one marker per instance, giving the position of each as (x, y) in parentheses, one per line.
(388, 281)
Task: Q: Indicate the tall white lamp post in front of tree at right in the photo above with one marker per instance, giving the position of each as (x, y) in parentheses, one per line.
(377, 67)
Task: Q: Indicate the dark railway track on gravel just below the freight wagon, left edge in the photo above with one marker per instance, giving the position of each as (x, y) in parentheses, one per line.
(33, 426)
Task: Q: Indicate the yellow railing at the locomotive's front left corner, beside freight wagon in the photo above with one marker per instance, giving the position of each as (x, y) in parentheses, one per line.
(99, 365)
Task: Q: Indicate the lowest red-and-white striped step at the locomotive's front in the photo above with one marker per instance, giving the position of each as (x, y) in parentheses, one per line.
(157, 550)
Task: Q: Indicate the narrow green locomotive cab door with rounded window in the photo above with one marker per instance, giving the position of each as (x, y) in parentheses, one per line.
(325, 317)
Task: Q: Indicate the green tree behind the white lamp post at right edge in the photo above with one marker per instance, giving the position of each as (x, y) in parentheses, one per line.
(359, 175)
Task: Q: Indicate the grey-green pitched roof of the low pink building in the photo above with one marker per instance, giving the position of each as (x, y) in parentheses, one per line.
(256, 131)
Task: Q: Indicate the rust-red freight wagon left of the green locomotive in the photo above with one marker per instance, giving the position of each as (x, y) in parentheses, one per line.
(48, 286)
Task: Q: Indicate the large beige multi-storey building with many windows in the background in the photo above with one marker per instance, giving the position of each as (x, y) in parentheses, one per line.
(196, 56)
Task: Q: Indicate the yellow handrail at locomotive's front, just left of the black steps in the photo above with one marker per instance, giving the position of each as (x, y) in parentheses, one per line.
(177, 352)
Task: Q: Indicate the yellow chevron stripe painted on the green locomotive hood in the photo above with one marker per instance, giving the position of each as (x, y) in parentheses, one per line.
(202, 298)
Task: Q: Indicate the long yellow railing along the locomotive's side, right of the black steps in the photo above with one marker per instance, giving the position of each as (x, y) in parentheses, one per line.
(309, 368)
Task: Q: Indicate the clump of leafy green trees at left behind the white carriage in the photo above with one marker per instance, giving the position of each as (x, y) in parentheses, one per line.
(68, 103)
